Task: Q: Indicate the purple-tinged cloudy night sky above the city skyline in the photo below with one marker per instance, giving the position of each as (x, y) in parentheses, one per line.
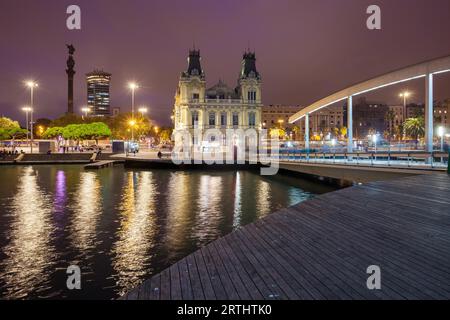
(305, 49)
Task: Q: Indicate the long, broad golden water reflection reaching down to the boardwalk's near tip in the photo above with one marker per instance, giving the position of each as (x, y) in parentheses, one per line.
(137, 230)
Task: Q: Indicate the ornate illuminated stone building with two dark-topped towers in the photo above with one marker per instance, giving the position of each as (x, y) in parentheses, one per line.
(219, 107)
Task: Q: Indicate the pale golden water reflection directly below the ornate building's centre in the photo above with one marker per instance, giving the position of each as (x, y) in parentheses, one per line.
(209, 212)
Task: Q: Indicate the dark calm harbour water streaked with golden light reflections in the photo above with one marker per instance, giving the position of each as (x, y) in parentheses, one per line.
(121, 226)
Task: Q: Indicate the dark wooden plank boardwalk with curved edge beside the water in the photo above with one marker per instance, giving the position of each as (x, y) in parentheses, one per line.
(320, 249)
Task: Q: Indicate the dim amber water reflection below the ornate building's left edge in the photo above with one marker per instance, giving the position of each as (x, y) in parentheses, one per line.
(179, 210)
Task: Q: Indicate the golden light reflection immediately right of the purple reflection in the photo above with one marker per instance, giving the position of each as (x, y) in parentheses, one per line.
(87, 211)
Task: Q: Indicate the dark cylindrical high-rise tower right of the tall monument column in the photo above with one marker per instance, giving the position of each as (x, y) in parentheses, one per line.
(98, 97)
